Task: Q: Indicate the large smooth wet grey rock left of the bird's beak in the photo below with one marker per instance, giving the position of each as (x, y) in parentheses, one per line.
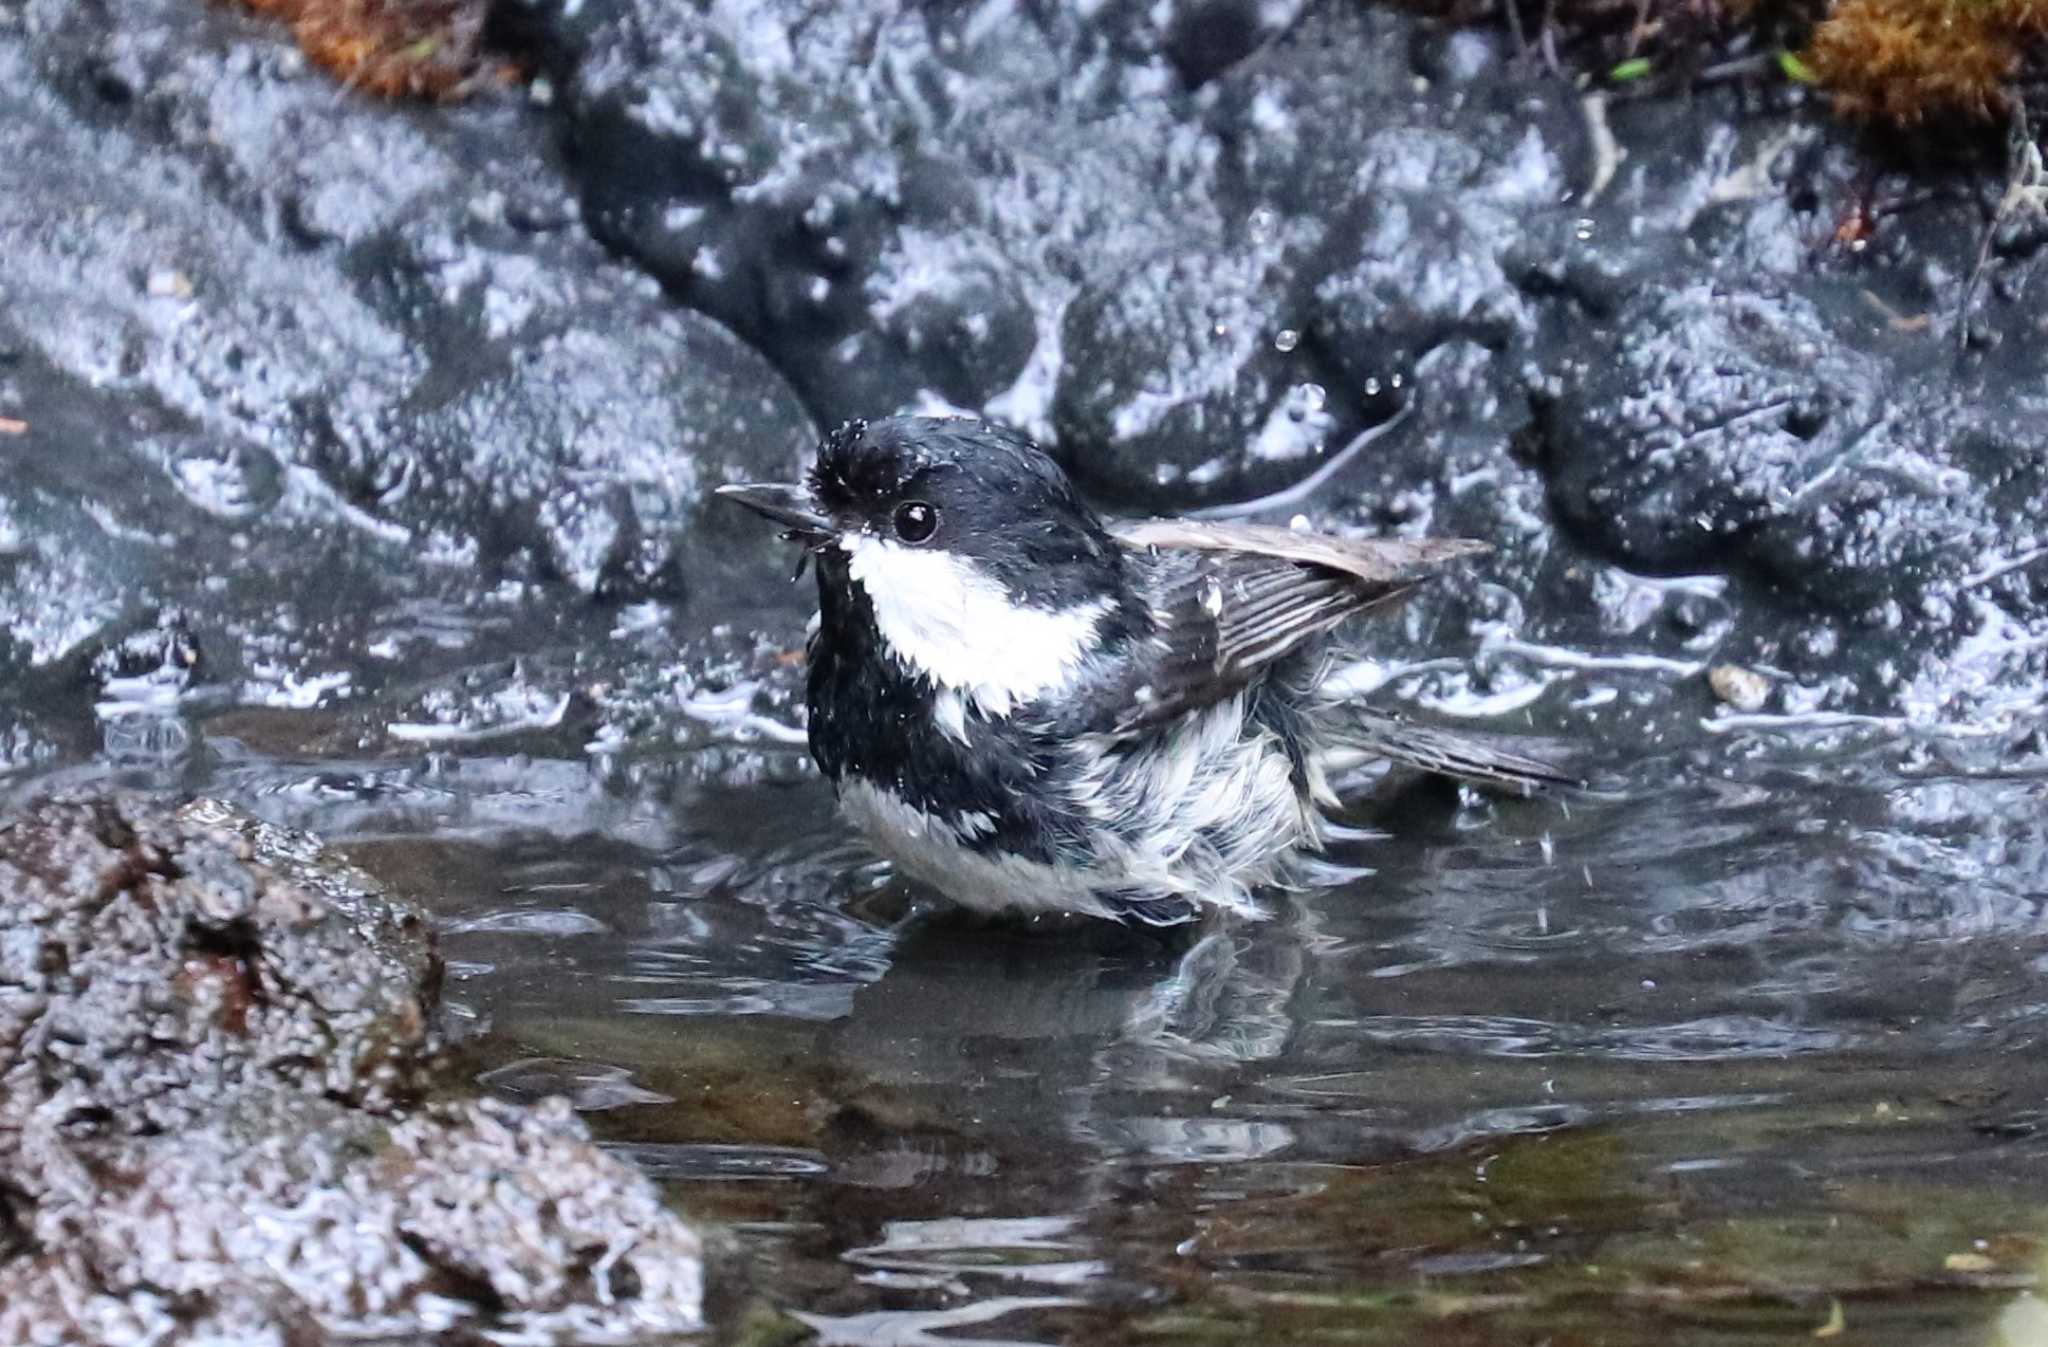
(359, 357)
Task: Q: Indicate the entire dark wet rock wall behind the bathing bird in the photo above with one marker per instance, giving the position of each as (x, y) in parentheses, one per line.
(447, 390)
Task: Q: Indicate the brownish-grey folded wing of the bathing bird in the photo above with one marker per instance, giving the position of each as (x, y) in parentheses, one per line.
(1232, 599)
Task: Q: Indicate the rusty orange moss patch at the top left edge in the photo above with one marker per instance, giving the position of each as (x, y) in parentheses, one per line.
(396, 48)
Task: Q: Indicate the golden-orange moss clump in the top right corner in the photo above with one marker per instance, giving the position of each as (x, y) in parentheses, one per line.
(1916, 60)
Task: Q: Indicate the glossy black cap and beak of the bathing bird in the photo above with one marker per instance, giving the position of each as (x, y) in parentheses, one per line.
(976, 492)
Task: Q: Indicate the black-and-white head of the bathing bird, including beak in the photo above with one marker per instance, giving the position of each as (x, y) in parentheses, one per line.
(982, 566)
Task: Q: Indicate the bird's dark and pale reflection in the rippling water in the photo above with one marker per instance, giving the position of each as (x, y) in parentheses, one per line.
(1113, 1039)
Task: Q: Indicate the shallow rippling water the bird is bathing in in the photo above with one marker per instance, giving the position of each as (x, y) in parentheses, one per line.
(1742, 1055)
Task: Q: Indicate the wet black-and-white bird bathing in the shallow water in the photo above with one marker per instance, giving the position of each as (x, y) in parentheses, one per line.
(1035, 709)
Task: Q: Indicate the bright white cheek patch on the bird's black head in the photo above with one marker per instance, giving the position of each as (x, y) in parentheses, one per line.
(949, 621)
